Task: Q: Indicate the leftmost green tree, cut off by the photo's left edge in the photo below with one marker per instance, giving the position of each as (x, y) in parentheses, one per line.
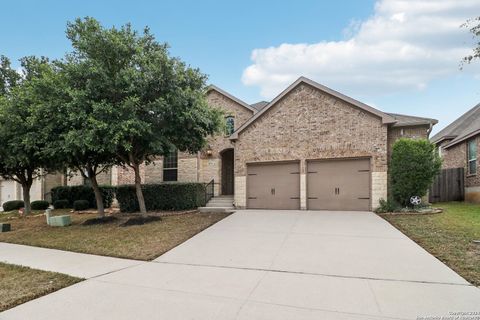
(22, 139)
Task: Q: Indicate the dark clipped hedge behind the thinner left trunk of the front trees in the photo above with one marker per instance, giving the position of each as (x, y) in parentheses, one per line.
(73, 193)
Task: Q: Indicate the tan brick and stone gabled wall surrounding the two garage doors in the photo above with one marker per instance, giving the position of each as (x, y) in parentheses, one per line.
(310, 124)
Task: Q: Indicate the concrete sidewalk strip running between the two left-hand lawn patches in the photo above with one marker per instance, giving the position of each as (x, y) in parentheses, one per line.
(75, 264)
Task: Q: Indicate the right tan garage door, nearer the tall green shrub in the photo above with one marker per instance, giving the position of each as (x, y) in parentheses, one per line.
(338, 184)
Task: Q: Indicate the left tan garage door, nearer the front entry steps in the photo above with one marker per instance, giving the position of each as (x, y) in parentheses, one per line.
(273, 186)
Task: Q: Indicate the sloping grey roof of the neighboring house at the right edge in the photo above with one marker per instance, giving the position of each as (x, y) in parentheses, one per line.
(466, 126)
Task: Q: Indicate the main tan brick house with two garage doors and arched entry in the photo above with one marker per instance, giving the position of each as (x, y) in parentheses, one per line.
(309, 148)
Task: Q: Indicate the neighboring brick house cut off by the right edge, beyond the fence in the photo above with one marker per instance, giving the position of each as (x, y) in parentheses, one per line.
(459, 146)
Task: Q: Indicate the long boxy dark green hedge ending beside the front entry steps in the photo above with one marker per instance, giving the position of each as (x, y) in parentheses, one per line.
(164, 196)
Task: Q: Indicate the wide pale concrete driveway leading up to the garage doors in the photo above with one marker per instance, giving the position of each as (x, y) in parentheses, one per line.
(273, 265)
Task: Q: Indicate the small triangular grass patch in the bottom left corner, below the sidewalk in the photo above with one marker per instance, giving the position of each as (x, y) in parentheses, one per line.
(21, 284)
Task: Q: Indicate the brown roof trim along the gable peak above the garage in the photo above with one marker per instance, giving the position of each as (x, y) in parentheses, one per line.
(386, 119)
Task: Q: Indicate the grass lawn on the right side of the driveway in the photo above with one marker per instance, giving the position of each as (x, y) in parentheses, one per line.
(447, 235)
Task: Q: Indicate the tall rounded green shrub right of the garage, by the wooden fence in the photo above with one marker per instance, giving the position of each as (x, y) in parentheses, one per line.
(413, 167)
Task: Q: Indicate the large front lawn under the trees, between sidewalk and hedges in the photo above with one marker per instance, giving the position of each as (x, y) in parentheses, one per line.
(142, 242)
